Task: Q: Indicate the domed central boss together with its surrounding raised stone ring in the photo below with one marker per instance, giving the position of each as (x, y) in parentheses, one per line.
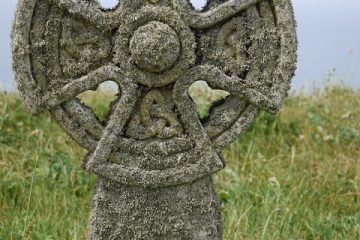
(168, 24)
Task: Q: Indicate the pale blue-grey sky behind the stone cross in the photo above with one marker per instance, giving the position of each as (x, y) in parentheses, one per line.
(328, 30)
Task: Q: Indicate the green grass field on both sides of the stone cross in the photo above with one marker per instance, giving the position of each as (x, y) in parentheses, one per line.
(295, 175)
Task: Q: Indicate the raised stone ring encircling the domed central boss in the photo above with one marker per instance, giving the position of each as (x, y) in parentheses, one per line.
(169, 17)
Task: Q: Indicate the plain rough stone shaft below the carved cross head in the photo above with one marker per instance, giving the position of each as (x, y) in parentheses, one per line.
(185, 212)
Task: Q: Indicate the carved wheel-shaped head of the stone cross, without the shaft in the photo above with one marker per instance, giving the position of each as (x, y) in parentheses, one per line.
(249, 44)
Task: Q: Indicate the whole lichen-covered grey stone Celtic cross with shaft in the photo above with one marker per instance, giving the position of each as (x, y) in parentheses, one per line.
(154, 156)
